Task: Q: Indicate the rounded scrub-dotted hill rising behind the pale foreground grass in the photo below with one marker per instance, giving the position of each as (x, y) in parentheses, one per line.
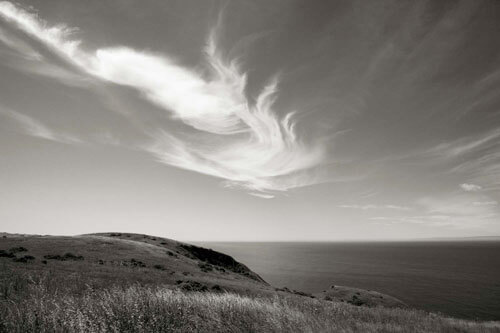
(108, 258)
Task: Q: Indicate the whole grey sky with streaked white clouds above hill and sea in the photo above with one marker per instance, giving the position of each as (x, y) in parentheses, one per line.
(251, 120)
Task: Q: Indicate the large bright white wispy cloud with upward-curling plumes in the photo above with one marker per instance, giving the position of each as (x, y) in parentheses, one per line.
(232, 136)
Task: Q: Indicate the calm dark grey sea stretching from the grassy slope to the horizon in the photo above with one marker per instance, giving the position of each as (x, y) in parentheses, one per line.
(456, 278)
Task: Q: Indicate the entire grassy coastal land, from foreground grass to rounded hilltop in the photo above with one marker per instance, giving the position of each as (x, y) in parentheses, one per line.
(137, 283)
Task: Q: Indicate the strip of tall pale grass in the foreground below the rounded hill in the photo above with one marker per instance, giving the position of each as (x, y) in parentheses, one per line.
(37, 303)
